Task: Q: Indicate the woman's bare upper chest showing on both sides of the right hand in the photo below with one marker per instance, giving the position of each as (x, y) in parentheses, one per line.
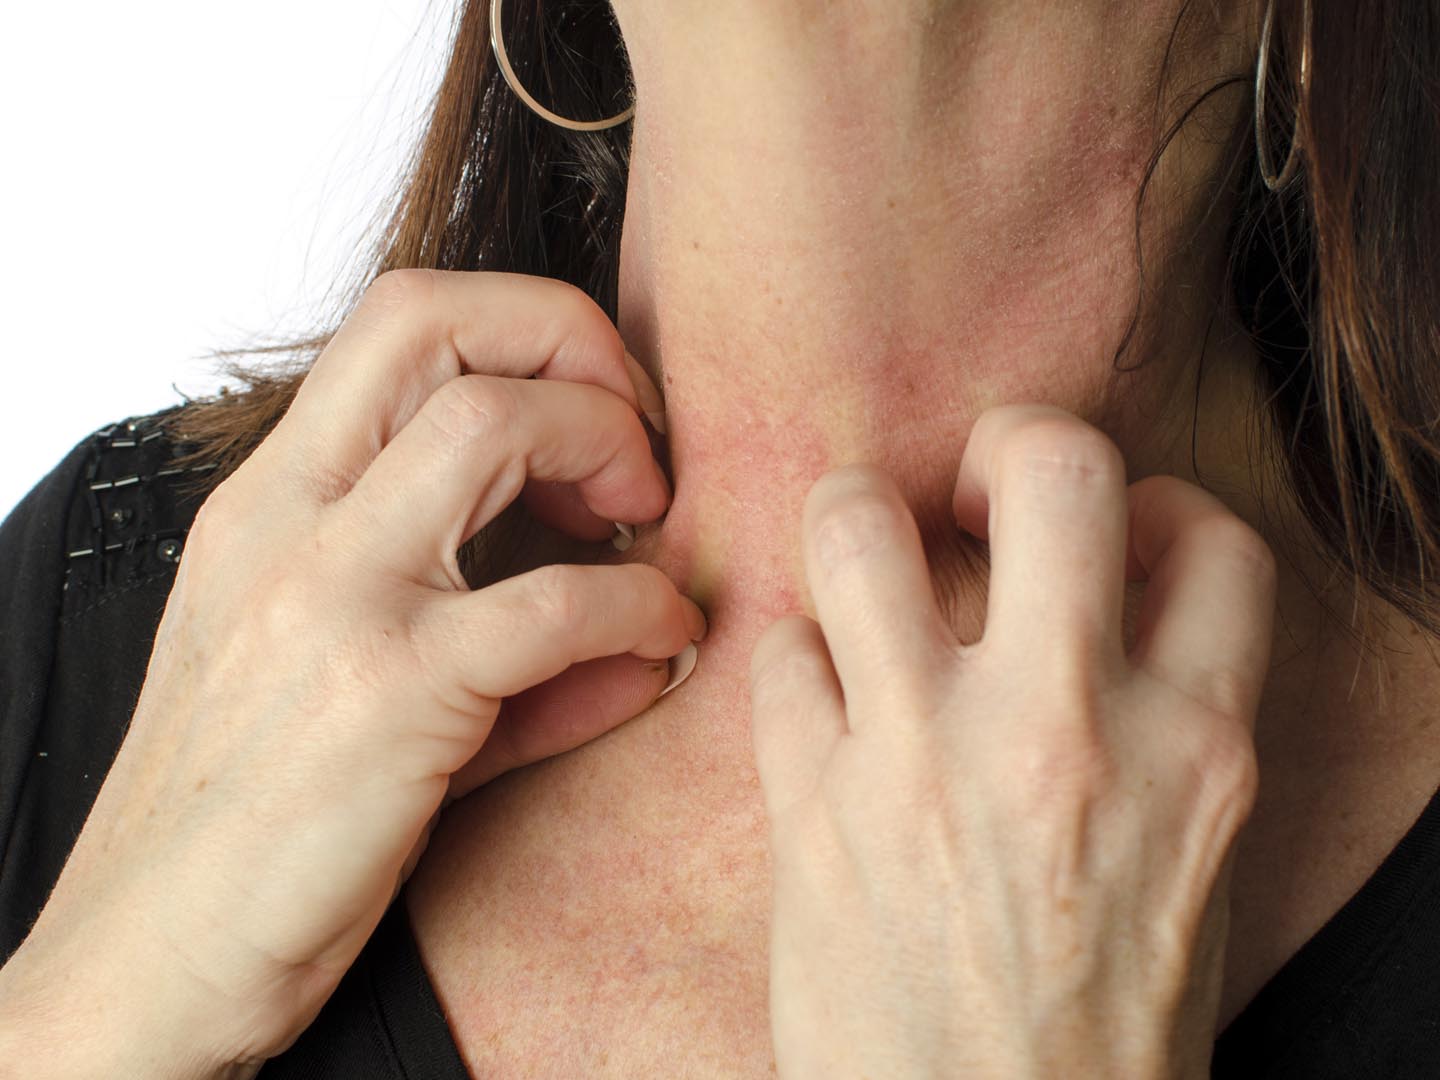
(607, 914)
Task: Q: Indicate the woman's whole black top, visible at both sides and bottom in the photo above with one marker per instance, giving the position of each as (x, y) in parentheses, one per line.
(87, 562)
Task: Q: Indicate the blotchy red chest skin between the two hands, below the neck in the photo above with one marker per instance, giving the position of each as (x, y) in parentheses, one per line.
(606, 915)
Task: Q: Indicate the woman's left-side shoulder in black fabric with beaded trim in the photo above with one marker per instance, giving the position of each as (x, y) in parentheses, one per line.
(87, 562)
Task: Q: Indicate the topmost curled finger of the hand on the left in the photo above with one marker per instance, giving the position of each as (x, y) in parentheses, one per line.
(415, 330)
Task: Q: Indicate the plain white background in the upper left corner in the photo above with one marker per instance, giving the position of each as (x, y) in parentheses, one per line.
(184, 176)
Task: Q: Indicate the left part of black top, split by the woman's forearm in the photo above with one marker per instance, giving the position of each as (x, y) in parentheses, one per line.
(87, 564)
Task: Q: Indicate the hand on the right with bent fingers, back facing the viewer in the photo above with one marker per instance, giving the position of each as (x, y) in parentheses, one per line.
(1012, 859)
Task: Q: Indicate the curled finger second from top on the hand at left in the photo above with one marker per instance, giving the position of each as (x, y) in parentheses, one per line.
(469, 453)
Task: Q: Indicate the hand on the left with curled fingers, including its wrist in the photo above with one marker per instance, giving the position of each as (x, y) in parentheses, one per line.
(323, 679)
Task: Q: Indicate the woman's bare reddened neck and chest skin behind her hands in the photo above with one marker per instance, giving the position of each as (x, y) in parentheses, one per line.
(850, 230)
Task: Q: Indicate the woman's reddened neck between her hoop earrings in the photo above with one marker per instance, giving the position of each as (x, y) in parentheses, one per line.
(852, 228)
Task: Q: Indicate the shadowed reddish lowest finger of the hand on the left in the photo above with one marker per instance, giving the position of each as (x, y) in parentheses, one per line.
(580, 705)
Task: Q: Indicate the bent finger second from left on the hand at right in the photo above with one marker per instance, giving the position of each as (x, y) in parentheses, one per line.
(872, 588)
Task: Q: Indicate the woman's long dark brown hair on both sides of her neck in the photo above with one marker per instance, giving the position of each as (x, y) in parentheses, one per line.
(1334, 276)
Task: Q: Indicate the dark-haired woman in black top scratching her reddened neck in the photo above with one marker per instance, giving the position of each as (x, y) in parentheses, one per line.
(1069, 624)
